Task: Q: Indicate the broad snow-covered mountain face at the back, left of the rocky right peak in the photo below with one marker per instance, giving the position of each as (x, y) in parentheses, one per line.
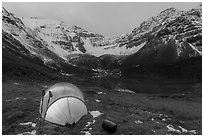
(64, 40)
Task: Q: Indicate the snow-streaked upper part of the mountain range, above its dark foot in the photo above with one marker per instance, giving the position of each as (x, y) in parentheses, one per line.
(170, 36)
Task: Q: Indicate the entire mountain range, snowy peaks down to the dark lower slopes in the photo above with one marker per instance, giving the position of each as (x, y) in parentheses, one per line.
(169, 43)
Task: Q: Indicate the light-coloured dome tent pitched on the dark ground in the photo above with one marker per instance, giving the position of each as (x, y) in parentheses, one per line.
(62, 104)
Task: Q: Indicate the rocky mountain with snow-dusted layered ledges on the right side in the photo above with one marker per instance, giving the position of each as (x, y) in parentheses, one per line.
(168, 38)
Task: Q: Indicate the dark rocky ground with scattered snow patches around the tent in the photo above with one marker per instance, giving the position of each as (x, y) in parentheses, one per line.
(134, 113)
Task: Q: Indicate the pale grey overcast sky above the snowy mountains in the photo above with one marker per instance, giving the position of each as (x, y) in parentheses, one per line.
(109, 19)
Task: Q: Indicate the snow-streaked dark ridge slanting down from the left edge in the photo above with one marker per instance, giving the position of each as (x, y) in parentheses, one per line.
(14, 28)
